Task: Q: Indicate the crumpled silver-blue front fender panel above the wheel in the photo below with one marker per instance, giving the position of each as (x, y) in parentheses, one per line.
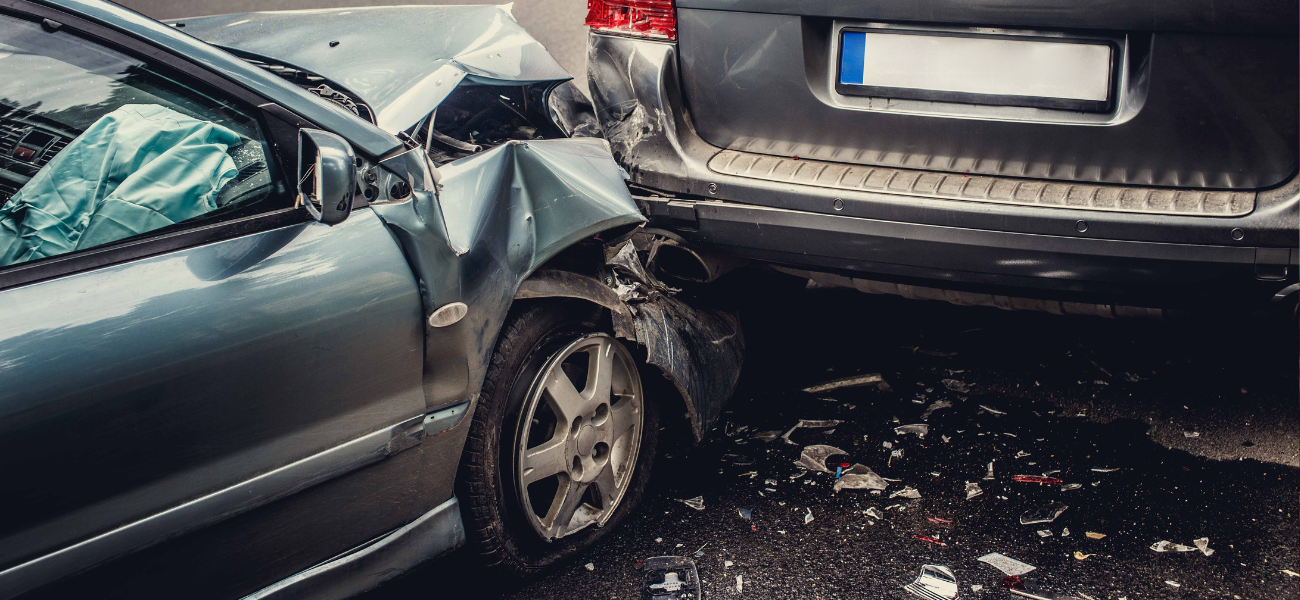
(500, 215)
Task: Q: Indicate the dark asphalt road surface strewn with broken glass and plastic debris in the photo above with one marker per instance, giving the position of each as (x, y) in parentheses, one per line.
(1176, 432)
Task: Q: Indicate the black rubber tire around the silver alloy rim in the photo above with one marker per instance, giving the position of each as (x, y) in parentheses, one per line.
(497, 529)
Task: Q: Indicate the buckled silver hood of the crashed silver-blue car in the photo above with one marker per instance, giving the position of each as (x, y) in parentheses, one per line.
(401, 60)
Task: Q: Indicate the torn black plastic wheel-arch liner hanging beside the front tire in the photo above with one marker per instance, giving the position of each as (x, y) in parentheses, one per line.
(699, 350)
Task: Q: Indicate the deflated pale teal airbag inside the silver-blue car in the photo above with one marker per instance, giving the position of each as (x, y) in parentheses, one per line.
(137, 169)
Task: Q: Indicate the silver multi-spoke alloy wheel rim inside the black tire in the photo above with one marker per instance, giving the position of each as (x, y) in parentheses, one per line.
(578, 447)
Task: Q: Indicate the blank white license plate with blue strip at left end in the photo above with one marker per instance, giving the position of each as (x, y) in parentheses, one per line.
(977, 69)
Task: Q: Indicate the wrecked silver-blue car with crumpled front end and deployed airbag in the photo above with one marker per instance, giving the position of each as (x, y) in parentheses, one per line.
(294, 302)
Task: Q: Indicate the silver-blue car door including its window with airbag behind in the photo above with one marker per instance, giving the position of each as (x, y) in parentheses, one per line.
(179, 342)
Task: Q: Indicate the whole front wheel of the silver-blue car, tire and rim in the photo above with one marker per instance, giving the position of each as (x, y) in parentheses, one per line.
(562, 440)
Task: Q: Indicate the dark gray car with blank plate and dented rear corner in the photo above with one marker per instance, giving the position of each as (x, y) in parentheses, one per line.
(1082, 158)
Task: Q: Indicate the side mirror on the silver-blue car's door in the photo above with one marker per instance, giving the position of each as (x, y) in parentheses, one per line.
(327, 176)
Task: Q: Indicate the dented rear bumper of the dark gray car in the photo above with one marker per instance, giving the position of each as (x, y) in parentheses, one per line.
(1182, 251)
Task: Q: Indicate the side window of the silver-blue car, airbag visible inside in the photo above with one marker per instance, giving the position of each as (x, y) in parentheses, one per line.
(98, 147)
